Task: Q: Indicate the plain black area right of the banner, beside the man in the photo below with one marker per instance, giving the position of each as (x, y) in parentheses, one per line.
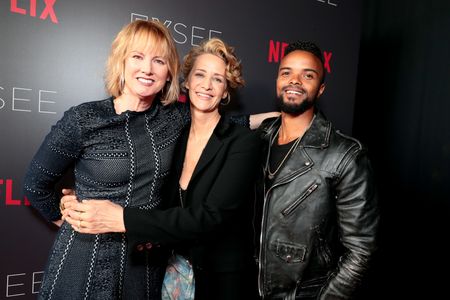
(402, 114)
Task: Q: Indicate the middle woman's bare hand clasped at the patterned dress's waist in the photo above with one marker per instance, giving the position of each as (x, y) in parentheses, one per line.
(94, 216)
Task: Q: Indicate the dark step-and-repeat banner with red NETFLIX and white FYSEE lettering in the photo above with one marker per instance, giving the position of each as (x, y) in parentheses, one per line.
(53, 53)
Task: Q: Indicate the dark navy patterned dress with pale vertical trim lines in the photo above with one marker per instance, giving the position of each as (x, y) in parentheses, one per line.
(124, 158)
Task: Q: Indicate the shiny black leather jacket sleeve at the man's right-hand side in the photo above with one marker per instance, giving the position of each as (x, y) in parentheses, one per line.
(358, 221)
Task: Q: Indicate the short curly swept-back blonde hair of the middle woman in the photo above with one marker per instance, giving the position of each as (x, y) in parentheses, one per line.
(217, 47)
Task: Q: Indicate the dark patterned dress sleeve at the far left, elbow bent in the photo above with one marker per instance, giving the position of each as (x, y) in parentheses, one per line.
(60, 148)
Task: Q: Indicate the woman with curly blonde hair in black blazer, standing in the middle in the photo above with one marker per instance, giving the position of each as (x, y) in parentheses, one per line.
(209, 200)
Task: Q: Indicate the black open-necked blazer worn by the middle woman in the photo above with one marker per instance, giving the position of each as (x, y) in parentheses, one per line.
(215, 224)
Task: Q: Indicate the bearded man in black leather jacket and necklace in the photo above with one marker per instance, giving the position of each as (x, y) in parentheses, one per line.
(319, 218)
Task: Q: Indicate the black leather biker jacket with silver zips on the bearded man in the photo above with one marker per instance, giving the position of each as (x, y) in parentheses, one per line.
(319, 216)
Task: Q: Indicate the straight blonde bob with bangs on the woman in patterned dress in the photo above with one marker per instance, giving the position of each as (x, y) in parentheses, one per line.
(139, 35)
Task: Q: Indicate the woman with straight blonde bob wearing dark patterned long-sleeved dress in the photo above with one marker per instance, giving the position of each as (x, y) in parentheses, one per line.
(121, 149)
